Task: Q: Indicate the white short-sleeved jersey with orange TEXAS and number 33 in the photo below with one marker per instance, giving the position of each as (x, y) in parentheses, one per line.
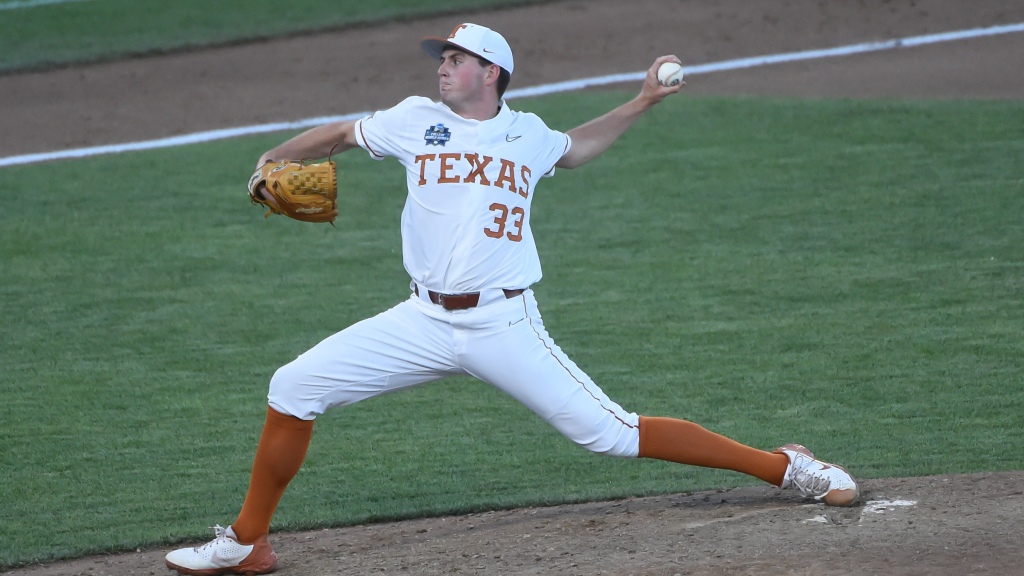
(465, 227)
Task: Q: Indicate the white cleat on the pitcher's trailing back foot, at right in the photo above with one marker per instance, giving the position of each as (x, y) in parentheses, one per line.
(817, 479)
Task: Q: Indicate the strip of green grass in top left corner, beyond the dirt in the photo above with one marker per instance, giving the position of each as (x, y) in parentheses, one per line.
(82, 32)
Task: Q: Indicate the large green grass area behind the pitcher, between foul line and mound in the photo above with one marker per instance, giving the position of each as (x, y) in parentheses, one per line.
(848, 275)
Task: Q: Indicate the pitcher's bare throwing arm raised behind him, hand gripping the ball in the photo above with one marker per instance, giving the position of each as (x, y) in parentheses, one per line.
(590, 140)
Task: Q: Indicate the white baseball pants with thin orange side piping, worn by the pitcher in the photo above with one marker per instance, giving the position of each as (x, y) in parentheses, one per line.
(502, 343)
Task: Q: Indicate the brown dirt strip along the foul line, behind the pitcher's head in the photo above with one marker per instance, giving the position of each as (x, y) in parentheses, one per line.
(319, 76)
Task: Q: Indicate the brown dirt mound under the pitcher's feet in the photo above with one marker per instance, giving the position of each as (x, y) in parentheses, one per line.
(935, 526)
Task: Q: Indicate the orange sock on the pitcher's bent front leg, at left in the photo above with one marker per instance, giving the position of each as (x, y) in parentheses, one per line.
(279, 457)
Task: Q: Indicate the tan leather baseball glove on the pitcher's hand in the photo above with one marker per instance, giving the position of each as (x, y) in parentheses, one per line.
(303, 192)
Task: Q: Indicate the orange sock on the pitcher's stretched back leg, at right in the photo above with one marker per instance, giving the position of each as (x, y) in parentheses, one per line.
(687, 443)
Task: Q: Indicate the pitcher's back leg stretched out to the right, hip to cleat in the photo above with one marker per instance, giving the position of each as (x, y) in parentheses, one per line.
(528, 365)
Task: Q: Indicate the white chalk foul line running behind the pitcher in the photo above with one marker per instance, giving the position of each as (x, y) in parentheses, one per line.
(211, 136)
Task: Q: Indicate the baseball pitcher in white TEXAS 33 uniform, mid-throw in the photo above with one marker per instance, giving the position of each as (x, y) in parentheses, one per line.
(474, 167)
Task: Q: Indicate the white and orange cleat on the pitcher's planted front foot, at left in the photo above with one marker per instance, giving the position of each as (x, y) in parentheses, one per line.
(225, 556)
